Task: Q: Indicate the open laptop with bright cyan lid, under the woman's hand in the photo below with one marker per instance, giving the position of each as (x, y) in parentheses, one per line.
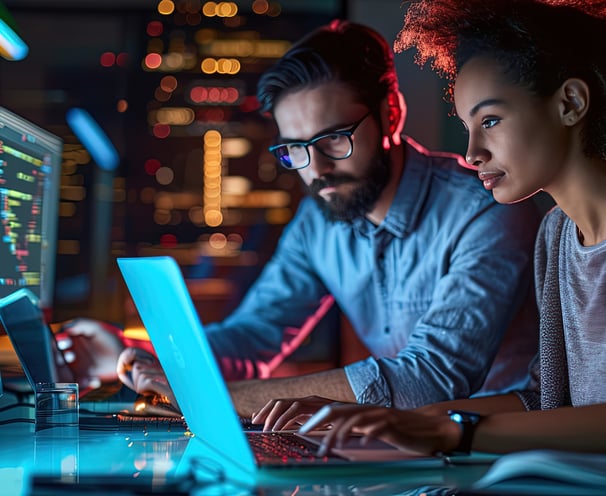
(160, 294)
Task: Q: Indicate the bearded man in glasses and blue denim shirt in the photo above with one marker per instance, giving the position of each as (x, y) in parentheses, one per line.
(428, 269)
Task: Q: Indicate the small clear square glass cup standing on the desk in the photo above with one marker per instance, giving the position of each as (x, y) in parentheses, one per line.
(57, 408)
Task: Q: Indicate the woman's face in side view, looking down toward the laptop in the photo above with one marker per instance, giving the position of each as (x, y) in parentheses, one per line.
(516, 139)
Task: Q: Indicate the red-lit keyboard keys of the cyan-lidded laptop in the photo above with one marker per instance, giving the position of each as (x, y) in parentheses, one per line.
(283, 447)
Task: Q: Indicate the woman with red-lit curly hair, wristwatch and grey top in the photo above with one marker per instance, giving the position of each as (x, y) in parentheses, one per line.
(528, 81)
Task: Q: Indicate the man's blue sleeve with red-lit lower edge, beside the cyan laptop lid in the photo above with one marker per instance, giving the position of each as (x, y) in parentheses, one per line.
(278, 312)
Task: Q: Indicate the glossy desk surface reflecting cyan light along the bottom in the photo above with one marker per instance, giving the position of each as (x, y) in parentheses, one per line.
(113, 461)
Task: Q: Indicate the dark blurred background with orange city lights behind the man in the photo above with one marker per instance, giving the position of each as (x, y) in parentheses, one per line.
(127, 212)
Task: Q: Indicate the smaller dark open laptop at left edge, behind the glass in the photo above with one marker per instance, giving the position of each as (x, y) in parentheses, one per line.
(42, 361)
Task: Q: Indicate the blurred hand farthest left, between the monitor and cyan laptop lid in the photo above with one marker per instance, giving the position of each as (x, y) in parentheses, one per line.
(91, 349)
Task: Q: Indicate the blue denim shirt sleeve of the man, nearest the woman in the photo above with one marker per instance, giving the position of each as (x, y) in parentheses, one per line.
(485, 281)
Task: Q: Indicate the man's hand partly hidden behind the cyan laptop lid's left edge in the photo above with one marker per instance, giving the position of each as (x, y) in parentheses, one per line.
(141, 371)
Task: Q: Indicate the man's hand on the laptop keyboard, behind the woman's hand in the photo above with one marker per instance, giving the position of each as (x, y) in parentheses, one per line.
(290, 413)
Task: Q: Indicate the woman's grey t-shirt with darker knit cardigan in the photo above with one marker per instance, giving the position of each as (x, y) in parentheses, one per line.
(570, 368)
